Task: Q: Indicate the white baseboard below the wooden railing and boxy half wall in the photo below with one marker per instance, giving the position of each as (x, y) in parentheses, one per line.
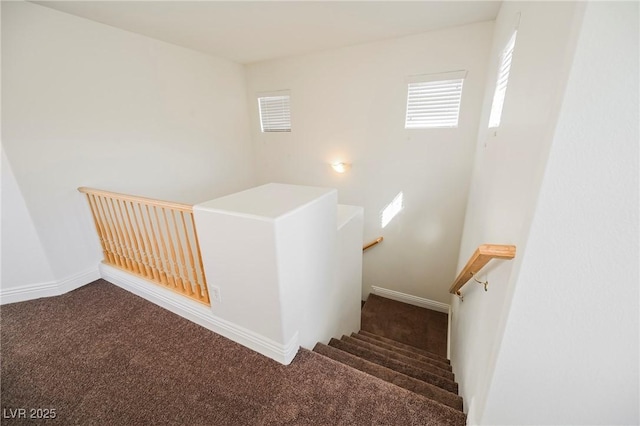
(201, 315)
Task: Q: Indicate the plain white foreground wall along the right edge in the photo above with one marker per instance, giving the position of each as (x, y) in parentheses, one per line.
(571, 342)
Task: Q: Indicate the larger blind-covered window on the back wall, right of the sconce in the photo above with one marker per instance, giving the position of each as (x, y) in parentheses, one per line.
(434, 101)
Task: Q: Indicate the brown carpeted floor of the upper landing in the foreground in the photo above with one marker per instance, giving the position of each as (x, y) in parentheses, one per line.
(100, 355)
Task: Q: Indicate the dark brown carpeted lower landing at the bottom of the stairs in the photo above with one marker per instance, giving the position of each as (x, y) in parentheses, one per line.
(391, 319)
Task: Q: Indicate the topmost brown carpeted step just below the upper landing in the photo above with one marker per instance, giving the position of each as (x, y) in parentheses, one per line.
(418, 386)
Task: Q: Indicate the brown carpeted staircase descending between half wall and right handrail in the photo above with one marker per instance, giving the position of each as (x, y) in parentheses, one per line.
(418, 370)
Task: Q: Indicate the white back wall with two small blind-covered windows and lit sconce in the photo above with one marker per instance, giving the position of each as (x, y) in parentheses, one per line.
(349, 104)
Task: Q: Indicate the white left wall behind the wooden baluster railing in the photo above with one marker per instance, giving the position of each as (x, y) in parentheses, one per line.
(88, 104)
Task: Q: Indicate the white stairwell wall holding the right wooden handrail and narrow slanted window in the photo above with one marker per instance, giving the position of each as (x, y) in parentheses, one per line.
(507, 173)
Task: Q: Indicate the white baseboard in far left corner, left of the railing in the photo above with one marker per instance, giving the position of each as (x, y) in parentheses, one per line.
(49, 288)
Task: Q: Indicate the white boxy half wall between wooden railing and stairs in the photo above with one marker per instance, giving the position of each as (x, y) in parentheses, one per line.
(272, 254)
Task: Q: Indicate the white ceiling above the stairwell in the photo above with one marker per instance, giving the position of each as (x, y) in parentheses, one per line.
(252, 31)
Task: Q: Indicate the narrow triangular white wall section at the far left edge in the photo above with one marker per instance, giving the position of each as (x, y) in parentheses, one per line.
(23, 259)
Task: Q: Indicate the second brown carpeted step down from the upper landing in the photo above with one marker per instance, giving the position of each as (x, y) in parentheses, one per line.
(395, 365)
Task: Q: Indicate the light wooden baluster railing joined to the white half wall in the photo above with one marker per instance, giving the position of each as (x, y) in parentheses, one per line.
(153, 239)
